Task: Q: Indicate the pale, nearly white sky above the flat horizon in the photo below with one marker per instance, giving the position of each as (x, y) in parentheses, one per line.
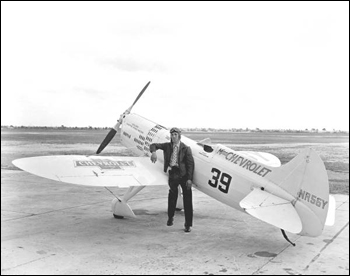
(267, 65)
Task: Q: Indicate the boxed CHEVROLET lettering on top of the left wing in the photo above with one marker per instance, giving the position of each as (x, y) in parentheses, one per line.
(104, 164)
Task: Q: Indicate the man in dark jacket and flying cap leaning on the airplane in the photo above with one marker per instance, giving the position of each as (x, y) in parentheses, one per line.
(179, 158)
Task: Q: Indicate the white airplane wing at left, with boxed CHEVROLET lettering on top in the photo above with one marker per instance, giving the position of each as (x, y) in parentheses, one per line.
(117, 171)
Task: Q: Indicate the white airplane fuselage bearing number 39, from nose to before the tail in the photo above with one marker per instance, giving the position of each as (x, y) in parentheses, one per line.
(223, 173)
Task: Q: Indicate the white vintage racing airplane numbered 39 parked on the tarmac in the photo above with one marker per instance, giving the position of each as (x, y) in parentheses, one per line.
(293, 197)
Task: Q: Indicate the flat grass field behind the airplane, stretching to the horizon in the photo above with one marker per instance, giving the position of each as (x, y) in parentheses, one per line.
(332, 147)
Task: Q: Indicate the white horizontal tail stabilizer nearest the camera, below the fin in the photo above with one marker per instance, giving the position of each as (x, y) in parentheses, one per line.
(272, 209)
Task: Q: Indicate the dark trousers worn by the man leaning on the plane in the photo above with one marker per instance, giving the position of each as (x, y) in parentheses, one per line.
(175, 180)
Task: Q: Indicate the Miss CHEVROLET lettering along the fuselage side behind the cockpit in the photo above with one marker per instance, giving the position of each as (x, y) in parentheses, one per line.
(244, 163)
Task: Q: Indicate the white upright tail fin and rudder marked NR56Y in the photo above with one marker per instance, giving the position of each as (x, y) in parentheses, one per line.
(305, 178)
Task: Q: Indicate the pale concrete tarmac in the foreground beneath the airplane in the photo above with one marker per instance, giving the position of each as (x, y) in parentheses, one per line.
(49, 227)
